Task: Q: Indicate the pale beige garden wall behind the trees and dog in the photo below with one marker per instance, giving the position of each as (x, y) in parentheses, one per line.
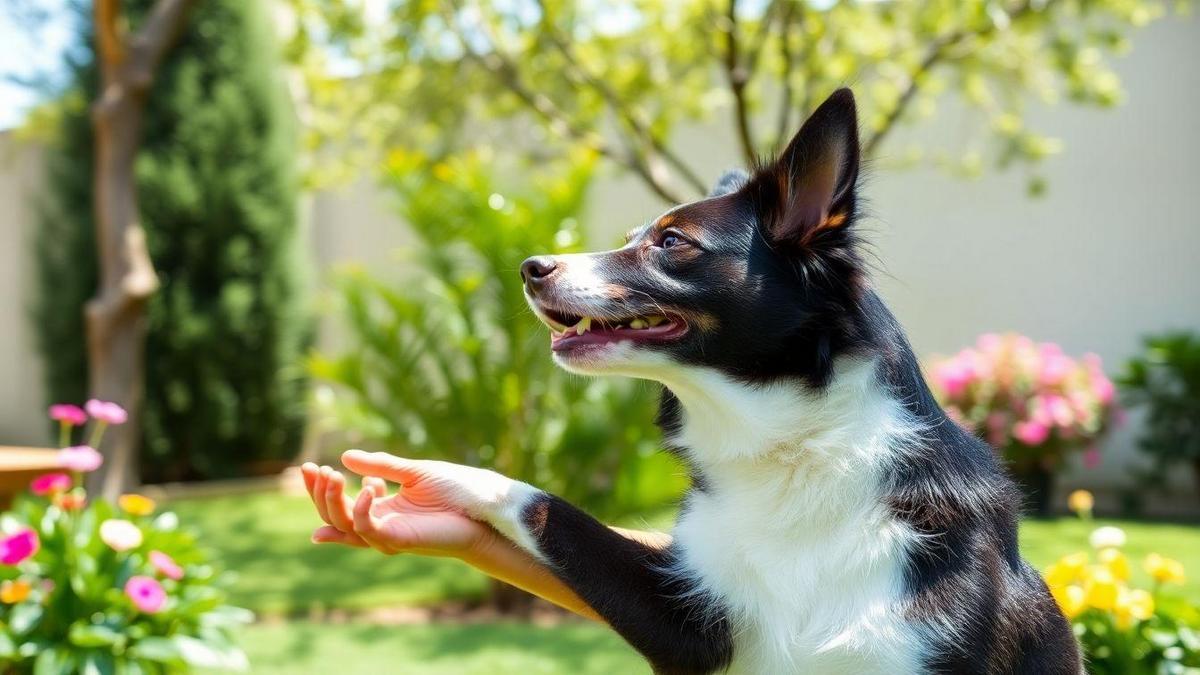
(1112, 253)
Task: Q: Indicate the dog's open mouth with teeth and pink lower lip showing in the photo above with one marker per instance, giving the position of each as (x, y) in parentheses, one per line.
(569, 331)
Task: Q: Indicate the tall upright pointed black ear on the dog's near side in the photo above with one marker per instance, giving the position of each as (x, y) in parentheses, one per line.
(809, 189)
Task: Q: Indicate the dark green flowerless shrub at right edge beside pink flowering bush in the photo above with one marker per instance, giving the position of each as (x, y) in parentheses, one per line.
(1166, 380)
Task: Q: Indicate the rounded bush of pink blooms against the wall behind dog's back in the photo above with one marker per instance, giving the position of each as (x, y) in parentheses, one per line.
(1028, 399)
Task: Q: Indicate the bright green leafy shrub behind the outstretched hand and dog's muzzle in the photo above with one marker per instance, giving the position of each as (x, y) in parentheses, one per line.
(448, 362)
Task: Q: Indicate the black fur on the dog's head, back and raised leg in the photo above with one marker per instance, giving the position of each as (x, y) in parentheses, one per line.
(772, 285)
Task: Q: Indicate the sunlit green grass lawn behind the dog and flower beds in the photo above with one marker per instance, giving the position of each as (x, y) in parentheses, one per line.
(265, 539)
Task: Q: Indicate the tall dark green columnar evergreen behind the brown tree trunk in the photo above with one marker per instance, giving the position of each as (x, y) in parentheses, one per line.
(219, 196)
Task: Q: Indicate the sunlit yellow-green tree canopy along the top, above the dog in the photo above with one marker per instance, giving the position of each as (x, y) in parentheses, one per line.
(579, 71)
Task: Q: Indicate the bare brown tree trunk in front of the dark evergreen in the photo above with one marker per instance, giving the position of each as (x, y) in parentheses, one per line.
(116, 318)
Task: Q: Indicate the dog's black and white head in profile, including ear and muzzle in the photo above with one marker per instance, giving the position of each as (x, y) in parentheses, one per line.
(759, 280)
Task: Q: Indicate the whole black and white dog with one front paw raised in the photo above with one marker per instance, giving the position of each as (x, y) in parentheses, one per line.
(838, 522)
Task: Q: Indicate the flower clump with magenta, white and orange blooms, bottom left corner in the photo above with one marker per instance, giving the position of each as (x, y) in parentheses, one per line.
(97, 588)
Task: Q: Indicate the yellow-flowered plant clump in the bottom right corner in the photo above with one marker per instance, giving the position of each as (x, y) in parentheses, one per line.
(1123, 629)
